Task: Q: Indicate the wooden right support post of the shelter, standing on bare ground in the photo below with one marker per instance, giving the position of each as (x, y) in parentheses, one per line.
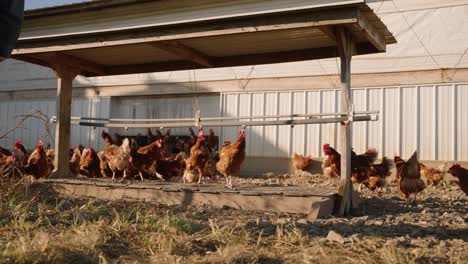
(345, 50)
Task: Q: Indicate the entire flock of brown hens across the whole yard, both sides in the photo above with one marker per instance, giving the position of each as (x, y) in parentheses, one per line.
(163, 157)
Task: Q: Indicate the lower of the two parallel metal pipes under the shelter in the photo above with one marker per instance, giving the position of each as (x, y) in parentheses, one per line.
(233, 123)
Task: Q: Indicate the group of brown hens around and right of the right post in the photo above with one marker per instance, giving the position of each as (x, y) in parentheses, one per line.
(373, 176)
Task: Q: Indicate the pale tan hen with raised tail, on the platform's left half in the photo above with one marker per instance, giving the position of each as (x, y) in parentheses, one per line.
(118, 158)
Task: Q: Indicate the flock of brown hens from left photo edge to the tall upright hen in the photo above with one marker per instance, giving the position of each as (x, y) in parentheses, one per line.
(153, 157)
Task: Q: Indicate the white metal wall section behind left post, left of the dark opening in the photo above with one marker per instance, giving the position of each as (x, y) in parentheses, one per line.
(34, 129)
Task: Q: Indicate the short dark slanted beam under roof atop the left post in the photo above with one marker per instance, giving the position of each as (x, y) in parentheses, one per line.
(57, 58)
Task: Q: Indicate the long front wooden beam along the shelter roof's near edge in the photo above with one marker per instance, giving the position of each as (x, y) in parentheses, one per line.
(306, 19)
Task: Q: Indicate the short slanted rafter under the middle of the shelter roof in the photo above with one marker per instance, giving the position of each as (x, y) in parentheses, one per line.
(184, 52)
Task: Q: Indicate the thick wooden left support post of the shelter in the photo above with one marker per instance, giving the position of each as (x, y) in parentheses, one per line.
(65, 77)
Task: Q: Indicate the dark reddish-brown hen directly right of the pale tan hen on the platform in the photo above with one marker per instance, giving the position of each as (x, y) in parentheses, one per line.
(142, 158)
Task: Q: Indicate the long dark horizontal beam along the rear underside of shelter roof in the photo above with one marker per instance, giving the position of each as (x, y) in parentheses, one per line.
(231, 61)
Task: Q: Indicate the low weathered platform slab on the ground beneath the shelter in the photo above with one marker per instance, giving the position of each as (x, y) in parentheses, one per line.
(316, 202)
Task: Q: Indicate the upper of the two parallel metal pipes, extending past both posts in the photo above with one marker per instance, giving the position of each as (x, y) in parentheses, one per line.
(220, 118)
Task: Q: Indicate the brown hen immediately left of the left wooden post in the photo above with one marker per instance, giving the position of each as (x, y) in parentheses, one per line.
(38, 165)
